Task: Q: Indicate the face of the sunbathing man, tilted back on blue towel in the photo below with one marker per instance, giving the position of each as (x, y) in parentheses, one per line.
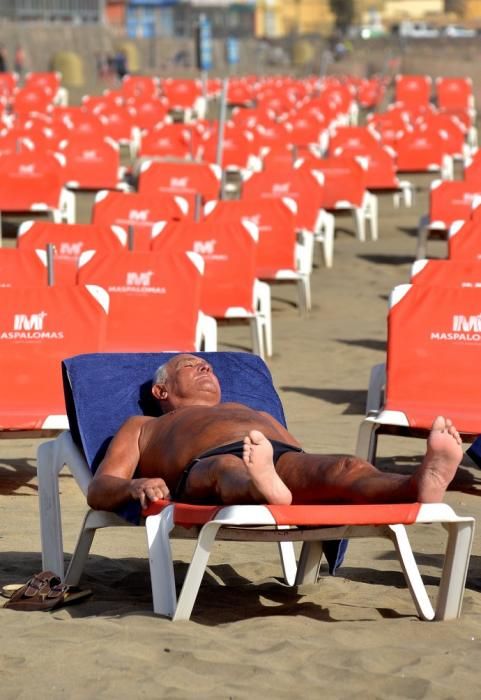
(191, 381)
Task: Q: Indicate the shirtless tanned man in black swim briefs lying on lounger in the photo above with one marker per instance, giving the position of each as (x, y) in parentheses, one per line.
(202, 450)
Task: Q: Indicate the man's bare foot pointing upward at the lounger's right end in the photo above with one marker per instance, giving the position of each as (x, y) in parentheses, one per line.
(443, 455)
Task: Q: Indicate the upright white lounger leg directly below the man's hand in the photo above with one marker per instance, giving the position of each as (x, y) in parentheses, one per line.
(164, 596)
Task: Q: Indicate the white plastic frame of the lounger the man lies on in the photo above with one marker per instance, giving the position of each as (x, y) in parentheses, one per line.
(243, 523)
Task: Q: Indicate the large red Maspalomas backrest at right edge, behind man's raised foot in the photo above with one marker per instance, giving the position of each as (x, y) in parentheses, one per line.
(434, 341)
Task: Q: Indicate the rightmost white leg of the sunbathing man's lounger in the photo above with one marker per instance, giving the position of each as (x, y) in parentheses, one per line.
(455, 569)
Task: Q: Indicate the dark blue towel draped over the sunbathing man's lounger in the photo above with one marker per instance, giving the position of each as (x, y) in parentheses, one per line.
(102, 390)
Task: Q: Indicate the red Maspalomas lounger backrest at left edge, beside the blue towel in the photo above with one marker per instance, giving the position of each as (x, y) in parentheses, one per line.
(39, 327)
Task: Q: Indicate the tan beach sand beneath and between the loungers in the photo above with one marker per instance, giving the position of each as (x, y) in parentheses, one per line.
(250, 636)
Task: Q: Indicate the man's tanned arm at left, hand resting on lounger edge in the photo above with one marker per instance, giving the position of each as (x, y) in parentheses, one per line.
(113, 485)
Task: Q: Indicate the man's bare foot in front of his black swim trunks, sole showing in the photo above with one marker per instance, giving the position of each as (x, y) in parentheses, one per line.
(257, 457)
